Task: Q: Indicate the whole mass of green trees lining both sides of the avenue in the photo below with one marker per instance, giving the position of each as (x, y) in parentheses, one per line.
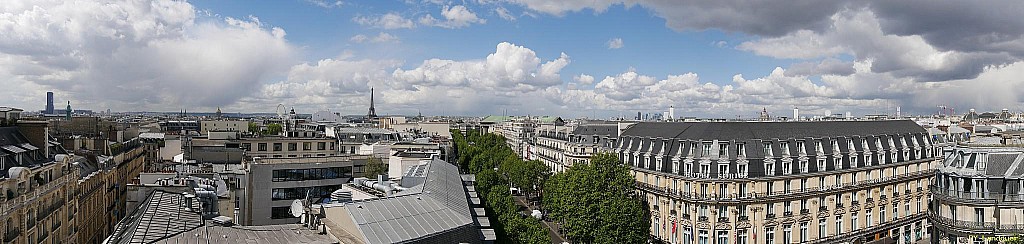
(594, 204)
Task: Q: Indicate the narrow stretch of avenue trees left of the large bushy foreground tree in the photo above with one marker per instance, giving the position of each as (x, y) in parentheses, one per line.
(482, 154)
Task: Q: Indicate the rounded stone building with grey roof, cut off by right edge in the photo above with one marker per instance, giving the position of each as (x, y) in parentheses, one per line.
(978, 195)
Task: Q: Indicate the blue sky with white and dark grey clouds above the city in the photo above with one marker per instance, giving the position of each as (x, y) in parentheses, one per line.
(575, 58)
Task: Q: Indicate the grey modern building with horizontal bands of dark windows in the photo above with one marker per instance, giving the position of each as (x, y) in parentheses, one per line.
(273, 184)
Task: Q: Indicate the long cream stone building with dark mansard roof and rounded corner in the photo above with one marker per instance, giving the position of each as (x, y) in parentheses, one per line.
(835, 182)
